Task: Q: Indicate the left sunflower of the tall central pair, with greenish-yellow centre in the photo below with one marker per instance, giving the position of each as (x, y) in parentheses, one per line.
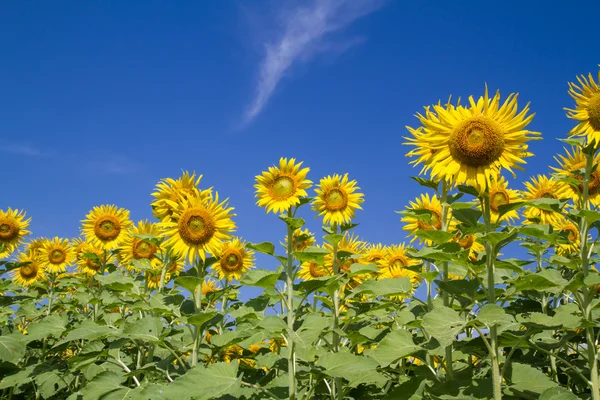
(281, 187)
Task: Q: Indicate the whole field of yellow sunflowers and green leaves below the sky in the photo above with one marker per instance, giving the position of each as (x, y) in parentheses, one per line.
(495, 294)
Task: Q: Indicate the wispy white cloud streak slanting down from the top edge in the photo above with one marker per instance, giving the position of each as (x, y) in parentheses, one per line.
(301, 36)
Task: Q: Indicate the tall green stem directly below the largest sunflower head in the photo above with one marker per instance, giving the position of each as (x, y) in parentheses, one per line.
(490, 252)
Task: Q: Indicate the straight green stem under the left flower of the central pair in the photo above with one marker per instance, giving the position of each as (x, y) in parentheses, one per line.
(290, 310)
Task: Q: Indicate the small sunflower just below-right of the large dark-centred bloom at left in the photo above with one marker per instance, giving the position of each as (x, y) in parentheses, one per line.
(234, 260)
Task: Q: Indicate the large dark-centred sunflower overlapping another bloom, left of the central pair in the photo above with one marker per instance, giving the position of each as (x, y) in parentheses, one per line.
(198, 226)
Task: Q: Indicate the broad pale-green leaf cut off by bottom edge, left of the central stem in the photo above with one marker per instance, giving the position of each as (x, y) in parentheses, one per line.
(206, 383)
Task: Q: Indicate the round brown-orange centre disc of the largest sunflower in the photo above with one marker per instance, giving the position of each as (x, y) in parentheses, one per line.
(477, 142)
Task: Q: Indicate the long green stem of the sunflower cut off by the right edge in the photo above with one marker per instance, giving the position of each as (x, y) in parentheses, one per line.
(587, 295)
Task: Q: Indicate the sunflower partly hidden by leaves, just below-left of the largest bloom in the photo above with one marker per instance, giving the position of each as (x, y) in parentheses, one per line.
(434, 207)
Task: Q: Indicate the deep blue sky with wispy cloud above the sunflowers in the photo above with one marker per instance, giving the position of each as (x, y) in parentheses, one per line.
(101, 99)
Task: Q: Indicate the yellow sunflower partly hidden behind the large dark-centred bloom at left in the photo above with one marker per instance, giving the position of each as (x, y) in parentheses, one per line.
(171, 192)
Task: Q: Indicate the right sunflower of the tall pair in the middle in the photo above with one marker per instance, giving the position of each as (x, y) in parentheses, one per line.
(337, 200)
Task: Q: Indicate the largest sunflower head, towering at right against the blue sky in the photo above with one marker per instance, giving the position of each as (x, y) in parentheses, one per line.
(469, 144)
